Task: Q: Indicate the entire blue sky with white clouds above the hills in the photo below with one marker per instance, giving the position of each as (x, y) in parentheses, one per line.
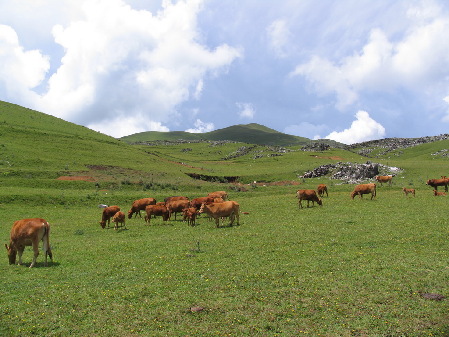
(349, 70)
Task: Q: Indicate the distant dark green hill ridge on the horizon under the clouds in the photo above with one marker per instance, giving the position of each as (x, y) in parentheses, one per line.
(246, 133)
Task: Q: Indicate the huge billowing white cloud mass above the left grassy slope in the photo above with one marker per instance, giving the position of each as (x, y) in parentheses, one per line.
(121, 65)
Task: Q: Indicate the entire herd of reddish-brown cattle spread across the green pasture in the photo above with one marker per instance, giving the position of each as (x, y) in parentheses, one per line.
(29, 232)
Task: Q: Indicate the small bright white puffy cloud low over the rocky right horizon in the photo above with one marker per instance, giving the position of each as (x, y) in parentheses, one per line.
(364, 128)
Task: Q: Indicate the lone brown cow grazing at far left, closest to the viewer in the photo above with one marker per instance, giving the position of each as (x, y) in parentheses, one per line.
(28, 232)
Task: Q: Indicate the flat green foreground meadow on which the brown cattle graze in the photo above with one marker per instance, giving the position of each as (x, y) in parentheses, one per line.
(348, 268)
